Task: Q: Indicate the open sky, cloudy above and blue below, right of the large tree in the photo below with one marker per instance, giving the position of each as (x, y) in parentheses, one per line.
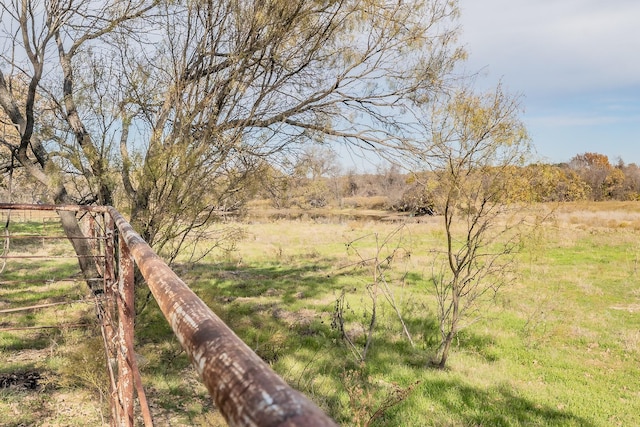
(575, 64)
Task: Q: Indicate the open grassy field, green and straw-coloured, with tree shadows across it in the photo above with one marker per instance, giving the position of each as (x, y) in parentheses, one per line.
(560, 346)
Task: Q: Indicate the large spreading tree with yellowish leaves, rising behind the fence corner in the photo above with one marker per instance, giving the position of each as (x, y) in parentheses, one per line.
(247, 80)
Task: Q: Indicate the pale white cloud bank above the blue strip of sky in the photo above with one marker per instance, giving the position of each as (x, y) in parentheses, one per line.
(545, 47)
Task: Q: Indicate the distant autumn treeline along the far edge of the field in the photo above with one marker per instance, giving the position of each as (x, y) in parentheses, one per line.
(316, 181)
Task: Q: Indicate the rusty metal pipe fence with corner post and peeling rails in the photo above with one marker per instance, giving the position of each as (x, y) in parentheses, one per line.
(243, 387)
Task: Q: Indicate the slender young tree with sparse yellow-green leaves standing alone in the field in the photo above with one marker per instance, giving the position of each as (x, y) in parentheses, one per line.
(476, 142)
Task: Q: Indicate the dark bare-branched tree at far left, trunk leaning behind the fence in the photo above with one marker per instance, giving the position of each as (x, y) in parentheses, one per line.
(31, 30)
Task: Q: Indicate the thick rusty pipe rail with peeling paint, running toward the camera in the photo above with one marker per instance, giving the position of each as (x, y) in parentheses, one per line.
(244, 388)
